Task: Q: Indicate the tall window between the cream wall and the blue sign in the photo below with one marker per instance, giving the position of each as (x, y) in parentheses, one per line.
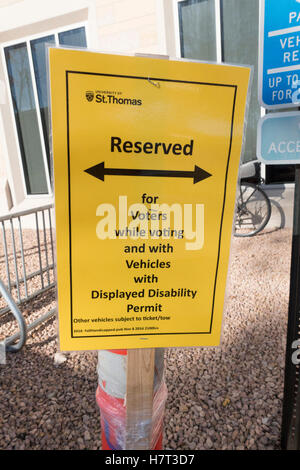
(238, 35)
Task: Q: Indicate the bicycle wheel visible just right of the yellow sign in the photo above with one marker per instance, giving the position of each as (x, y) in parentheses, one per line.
(253, 210)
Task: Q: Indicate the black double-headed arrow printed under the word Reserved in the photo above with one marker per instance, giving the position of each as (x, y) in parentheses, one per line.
(99, 171)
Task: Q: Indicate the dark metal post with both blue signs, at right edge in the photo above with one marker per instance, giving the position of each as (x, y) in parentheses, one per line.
(279, 143)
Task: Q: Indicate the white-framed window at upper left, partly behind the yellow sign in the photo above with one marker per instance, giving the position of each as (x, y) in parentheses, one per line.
(27, 76)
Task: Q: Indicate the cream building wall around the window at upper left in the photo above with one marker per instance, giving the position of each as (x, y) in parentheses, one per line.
(128, 26)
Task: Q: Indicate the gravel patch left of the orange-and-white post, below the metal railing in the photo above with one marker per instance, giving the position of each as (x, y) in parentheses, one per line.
(44, 406)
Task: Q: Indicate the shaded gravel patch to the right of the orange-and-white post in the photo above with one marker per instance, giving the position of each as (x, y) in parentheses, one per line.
(226, 398)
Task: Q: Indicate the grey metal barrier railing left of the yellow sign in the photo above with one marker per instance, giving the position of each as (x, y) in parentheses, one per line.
(26, 266)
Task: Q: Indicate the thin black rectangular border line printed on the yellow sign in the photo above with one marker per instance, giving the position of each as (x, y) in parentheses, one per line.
(235, 87)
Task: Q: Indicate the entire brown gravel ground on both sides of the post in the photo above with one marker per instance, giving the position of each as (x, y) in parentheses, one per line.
(228, 397)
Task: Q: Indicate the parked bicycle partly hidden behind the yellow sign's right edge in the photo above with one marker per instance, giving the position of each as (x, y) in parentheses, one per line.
(253, 207)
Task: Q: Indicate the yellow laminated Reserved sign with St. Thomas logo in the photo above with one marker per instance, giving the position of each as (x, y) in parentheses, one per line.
(146, 156)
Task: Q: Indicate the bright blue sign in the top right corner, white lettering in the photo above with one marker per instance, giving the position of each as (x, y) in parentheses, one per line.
(279, 53)
